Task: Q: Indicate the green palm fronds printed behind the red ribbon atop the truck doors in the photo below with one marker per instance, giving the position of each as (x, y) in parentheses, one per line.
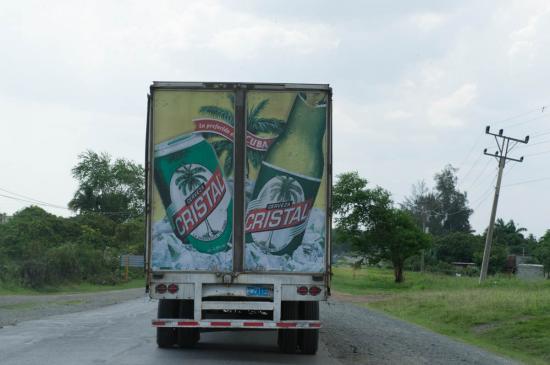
(255, 124)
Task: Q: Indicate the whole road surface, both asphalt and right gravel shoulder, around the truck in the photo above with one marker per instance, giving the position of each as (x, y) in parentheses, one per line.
(122, 334)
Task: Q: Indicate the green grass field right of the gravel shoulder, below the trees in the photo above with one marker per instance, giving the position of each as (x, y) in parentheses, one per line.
(504, 315)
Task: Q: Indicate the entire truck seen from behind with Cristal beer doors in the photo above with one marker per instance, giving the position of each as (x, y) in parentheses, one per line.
(238, 209)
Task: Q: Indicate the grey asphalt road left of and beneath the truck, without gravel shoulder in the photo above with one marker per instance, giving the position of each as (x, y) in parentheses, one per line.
(122, 334)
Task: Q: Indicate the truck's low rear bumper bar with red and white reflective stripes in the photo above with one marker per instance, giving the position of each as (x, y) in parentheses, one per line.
(250, 324)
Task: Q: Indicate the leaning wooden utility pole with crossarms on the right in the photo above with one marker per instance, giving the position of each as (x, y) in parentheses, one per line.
(503, 143)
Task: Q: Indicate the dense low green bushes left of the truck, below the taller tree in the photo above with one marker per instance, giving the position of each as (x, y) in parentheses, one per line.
(39, 249)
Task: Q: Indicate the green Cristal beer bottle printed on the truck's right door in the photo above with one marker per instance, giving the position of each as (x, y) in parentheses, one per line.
(289, 179)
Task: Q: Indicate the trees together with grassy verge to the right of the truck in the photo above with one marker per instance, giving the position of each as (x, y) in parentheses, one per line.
(419, 261)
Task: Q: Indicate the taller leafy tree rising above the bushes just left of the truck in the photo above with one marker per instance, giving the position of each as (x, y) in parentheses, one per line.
(111, 187)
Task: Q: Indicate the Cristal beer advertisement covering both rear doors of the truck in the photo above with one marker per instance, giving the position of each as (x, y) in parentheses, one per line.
(285, 180)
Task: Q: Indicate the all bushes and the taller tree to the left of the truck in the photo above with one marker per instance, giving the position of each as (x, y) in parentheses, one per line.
(41, 252)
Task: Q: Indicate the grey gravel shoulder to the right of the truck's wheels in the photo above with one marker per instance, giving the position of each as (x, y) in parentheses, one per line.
(357, 335)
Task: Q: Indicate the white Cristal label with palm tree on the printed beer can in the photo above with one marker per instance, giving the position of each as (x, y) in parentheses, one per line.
(199, 195)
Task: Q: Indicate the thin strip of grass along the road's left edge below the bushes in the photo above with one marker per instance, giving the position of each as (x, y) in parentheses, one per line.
(7, 289)
